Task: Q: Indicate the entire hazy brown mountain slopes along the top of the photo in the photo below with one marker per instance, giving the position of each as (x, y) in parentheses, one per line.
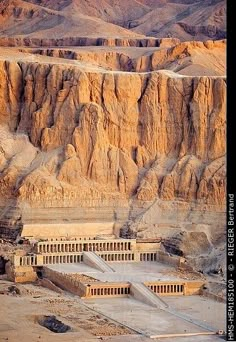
(183, 19)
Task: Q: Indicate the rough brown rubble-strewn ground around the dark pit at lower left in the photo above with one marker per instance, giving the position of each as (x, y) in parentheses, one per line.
(18, 316)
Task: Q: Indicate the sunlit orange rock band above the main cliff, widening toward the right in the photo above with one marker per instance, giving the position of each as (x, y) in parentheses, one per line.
(188, 58)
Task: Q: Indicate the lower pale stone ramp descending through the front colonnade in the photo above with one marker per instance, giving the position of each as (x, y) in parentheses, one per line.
(145, 295)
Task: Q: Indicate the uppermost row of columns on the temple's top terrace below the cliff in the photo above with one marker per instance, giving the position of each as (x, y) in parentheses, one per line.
(80, 247)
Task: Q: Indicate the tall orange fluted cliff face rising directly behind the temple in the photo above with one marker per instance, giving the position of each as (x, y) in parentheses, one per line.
(110, 136)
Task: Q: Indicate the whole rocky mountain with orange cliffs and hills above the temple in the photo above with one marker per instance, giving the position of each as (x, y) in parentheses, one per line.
(105, 113)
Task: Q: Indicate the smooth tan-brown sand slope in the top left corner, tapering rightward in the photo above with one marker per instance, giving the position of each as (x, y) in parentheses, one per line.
(22, 18)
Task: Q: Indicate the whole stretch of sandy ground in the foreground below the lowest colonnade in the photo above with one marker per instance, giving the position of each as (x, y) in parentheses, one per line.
(96, 319)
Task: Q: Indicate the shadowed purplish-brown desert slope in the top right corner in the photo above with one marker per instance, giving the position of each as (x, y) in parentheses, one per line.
(200, 20)
